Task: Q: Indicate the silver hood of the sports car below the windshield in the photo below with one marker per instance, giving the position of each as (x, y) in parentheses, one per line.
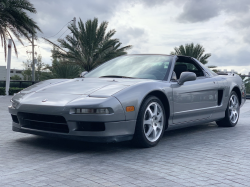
(99, 87)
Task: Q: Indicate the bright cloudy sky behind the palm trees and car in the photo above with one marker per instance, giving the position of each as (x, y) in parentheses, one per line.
(151, 26)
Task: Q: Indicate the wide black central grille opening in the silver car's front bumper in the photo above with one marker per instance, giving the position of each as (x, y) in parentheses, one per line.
(43, 122)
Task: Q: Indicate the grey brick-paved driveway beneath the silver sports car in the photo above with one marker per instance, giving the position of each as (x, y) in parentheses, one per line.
(203, 155)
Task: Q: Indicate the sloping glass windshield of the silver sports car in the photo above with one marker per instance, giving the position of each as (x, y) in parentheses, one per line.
(134, 66)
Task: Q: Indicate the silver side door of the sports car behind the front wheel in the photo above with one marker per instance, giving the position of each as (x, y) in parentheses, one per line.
(194, 100)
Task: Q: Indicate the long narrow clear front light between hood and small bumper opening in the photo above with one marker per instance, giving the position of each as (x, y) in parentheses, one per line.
(89, 111)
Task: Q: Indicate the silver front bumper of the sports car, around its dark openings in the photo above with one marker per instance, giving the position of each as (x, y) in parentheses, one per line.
(116, 126)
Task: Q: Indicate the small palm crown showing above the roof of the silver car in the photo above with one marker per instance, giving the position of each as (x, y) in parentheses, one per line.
(196, 51)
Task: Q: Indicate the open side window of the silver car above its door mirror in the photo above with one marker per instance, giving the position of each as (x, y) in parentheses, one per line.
(186, 64)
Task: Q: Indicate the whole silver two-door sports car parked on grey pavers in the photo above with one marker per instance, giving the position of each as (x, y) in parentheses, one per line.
(132, 97)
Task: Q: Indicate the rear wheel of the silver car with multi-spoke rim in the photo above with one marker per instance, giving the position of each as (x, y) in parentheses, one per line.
(232, 112)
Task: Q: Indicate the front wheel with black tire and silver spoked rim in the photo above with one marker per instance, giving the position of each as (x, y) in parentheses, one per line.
(150, 126)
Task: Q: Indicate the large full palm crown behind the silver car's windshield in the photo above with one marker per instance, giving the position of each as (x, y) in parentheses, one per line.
(90, 45)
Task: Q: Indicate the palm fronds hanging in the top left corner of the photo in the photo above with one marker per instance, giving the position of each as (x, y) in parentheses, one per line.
(14, 20)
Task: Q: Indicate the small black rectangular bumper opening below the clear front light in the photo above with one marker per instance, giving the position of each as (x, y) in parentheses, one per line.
(90, 126)
